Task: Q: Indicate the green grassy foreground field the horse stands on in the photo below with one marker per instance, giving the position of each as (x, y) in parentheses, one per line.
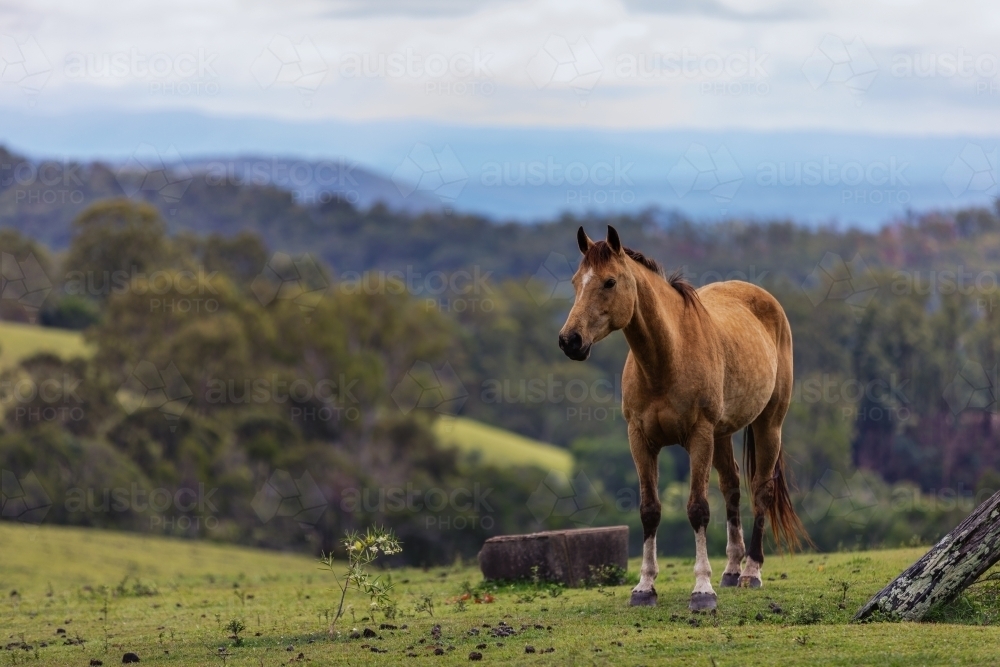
(174, 602)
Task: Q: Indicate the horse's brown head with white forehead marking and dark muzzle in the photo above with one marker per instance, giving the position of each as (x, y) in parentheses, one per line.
(605, 295)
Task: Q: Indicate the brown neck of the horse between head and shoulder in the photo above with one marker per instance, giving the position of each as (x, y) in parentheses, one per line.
(652, 333)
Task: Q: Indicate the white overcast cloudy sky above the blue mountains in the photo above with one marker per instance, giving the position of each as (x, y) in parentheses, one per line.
(888, 67)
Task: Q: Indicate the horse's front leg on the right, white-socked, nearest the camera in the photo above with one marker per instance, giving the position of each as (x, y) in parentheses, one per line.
(700, 447)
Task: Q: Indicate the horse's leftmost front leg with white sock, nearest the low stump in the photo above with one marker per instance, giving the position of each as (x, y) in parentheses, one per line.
(645, 456)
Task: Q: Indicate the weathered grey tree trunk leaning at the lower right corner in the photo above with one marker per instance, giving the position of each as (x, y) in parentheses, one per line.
(957, 561)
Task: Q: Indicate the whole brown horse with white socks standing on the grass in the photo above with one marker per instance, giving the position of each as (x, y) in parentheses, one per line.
(702, 365)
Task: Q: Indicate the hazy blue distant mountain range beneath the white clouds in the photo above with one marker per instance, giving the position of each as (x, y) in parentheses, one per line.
(530, 174)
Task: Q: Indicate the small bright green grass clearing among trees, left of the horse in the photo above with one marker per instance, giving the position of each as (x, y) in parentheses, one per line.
(494, 446)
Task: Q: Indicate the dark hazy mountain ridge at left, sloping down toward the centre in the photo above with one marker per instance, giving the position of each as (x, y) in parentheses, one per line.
(41, 197)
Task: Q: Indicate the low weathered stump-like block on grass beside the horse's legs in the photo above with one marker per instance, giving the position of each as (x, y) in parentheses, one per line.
(567, 556)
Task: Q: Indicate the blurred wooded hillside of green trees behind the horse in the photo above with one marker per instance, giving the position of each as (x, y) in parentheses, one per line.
(890, 437)
